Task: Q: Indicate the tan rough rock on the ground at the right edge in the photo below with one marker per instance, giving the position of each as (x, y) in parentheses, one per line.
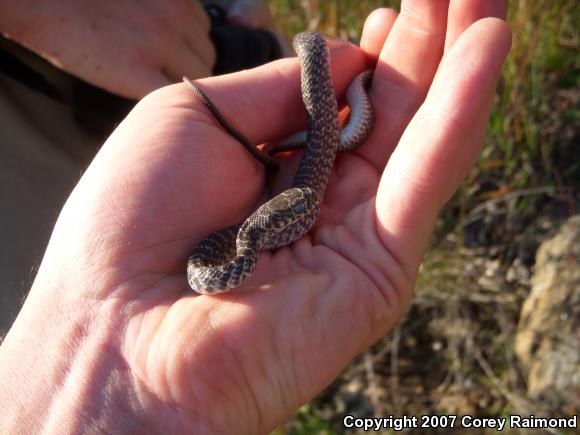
(548, 336)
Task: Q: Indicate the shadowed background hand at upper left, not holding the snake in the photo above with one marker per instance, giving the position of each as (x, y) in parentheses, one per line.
(129, 48)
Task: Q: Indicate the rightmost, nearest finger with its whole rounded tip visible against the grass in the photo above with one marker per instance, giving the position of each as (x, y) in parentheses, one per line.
(442, 141)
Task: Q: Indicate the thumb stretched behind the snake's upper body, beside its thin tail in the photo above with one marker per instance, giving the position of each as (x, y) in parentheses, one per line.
(265, 103)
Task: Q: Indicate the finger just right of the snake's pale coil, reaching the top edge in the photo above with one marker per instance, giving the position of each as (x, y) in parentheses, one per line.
(407, 64)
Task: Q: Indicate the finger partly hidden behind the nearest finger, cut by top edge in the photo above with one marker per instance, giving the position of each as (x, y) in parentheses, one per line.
(463, 13)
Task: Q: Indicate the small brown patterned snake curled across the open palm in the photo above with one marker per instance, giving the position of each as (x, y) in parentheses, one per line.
(225, 259)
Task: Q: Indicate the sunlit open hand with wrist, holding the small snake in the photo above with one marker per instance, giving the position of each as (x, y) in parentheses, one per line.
(110, 339)
